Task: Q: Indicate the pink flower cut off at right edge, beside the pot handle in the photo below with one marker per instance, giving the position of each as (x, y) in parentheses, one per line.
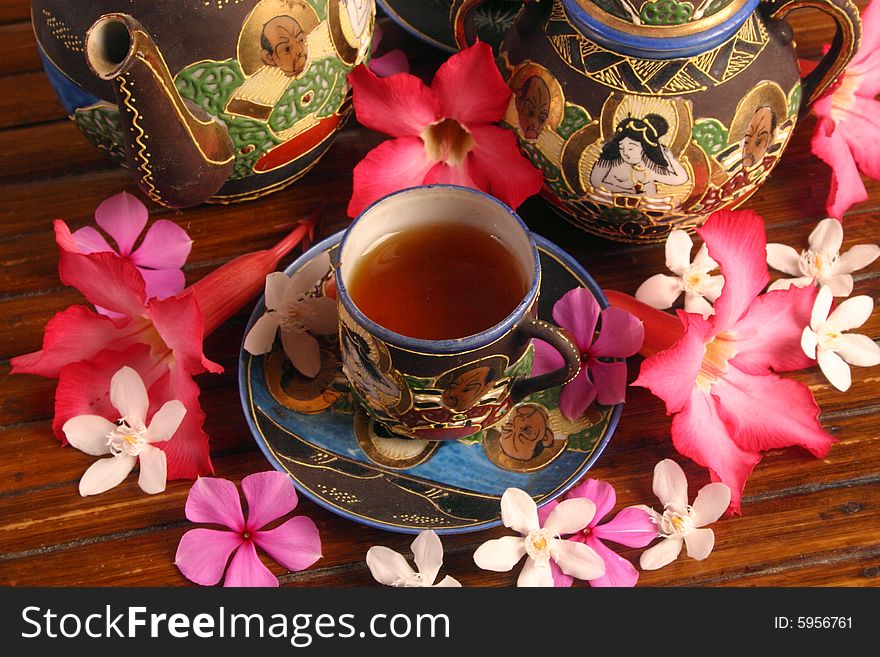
(848, 129)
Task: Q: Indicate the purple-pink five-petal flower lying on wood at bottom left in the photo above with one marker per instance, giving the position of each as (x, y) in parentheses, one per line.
(203, 553)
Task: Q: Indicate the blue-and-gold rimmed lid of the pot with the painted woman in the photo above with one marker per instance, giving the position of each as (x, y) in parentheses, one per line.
(659, 29)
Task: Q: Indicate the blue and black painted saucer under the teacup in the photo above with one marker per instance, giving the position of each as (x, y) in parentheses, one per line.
(338, 458)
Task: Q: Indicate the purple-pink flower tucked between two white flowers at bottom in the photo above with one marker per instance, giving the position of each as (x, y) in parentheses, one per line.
(632, 527)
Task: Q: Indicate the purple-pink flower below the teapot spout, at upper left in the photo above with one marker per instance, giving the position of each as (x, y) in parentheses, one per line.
(159, 257)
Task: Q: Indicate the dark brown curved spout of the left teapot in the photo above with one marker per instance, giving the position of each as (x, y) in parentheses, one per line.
(178, 154)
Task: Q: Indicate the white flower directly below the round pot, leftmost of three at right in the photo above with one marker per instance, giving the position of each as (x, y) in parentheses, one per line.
(692, 278)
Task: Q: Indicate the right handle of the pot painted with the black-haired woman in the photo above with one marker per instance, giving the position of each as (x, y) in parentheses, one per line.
(844, 46)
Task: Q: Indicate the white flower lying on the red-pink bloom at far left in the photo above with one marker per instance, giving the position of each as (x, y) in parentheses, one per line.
(128, 441)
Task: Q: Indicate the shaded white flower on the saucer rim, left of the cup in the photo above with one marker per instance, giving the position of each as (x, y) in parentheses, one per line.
(288, 308)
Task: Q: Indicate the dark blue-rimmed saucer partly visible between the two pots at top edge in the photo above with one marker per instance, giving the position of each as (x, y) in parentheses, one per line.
(428, 20)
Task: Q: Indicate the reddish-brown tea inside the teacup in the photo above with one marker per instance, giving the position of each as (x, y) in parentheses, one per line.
(438, 282)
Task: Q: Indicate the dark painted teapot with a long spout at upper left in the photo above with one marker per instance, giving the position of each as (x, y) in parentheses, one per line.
(206, 100)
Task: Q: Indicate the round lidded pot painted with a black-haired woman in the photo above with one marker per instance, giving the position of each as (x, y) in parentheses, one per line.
(648, 115)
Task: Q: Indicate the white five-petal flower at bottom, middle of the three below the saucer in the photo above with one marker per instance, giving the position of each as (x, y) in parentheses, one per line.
(520, 513)
